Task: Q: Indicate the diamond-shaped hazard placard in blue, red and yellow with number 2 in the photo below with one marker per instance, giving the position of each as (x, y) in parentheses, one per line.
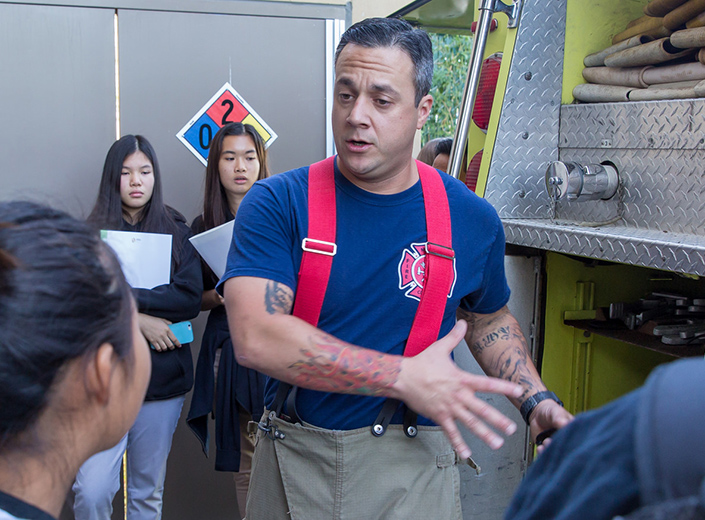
(226, 106)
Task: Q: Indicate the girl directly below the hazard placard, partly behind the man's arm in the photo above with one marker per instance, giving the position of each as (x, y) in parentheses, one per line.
(236, 160)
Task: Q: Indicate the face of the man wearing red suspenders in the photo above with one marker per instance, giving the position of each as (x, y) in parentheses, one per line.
(374, 114)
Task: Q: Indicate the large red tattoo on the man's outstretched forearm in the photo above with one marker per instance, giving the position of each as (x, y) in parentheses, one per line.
(330, 365)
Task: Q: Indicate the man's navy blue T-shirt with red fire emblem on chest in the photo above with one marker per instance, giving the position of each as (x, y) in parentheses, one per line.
(372, 294)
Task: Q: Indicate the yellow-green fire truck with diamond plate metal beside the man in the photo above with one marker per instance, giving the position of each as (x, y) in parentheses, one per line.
(602, 203)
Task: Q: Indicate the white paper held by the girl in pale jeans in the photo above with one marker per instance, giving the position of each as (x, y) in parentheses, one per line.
(145, 258)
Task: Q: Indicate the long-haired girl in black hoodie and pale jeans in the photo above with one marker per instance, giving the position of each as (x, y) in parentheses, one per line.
(130, 199)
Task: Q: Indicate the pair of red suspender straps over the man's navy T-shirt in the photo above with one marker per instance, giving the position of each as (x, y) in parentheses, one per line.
(320, 248)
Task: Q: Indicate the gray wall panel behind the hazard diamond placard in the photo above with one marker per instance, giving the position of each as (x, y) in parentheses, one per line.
(172, 63)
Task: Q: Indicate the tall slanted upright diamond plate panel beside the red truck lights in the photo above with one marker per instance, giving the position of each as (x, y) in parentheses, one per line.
(527, 137)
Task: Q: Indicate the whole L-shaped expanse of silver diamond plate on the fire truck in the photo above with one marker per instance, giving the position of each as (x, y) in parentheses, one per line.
(657, 146)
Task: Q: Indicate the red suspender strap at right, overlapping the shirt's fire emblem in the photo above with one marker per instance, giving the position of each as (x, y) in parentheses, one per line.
(440, 272)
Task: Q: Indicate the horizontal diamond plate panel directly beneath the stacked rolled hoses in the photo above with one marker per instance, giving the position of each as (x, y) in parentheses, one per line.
(646, 125)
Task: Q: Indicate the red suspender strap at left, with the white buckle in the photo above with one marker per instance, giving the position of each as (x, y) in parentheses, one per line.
(315, 268)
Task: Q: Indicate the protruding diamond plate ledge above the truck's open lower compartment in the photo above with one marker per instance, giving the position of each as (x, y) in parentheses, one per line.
(647, 248)
